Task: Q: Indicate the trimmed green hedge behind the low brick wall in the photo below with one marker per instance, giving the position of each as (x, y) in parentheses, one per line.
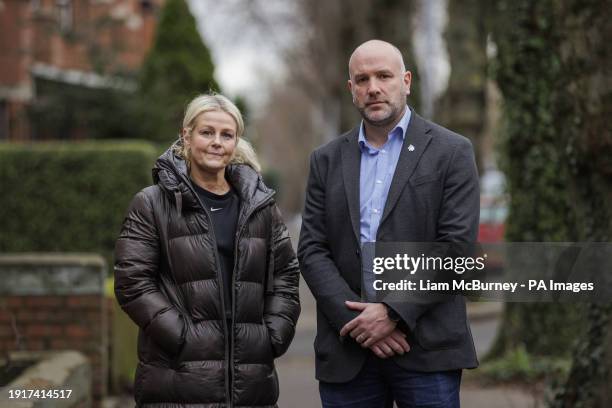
(61, 196)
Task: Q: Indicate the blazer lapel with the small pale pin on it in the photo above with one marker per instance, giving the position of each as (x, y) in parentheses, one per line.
(416, 140)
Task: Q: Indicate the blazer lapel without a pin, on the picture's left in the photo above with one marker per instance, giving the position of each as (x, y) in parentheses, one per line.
(351, 163)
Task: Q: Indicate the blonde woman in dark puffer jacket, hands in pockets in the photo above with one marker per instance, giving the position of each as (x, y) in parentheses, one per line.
(204, 266)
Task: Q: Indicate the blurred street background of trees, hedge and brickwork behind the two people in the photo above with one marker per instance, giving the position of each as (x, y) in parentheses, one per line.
(92, 91)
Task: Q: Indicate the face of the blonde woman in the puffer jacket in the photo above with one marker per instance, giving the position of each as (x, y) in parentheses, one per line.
(212, 140)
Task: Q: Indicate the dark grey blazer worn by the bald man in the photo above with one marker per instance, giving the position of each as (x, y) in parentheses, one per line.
(434, 196)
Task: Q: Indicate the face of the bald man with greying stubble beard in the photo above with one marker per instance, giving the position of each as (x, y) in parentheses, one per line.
(378, 85)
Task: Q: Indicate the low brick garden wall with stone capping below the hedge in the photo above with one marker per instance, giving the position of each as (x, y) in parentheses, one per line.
(56, 302)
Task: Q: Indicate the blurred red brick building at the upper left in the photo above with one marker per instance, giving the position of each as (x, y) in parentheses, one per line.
(116, 34)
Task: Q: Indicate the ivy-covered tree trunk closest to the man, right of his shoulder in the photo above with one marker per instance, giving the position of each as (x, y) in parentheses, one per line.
(528, 75)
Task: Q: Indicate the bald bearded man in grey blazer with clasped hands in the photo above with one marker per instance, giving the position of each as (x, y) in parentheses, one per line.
(396, 178)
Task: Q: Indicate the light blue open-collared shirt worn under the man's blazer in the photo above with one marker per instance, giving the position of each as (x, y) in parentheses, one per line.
(376, 172)
